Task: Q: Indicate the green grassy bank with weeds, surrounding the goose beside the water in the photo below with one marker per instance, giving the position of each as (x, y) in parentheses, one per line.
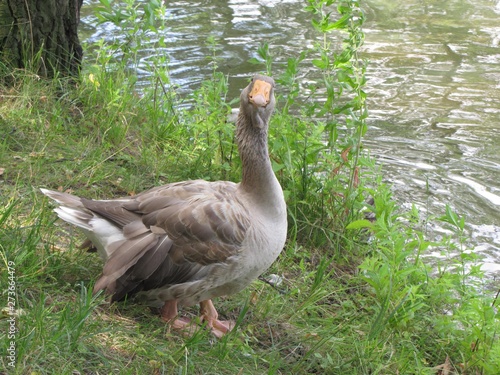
(357, 296)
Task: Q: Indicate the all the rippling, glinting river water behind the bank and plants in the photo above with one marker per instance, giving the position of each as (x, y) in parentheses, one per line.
(433, 89)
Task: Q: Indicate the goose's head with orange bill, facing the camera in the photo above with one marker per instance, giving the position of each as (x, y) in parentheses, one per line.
(257, 101)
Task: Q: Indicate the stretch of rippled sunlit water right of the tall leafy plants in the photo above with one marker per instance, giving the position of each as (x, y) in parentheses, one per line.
(435, 109)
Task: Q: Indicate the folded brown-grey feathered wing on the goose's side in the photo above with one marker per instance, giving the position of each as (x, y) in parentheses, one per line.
(172, 234)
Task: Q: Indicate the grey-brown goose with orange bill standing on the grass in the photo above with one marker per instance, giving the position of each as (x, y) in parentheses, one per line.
(186, 243)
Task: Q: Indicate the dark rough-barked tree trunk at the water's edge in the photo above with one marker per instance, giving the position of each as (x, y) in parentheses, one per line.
(40, 35)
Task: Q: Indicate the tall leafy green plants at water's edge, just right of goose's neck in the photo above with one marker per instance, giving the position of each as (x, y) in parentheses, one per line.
(320, 171)
